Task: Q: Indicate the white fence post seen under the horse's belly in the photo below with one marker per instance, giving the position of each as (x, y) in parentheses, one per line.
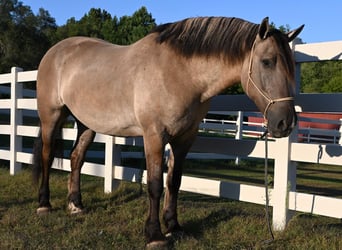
(112, 159)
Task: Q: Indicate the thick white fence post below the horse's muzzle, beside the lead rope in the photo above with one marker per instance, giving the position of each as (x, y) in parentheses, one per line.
(284, 181)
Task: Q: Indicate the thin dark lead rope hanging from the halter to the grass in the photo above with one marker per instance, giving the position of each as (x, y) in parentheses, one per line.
(267, 215)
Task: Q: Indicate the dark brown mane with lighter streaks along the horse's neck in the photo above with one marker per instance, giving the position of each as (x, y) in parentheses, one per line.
(231, 37)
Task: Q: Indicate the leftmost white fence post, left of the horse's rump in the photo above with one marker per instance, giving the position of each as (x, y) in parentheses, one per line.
(15, 120)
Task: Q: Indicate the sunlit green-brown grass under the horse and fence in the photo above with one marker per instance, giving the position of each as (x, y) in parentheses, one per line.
(115, 221)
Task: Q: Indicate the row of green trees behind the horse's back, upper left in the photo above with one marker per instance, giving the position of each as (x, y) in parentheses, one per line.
(26, 37)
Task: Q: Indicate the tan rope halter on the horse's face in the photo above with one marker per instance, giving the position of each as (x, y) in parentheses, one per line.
(262, 93)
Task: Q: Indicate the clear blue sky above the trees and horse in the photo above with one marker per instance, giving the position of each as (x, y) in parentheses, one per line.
(322, 19)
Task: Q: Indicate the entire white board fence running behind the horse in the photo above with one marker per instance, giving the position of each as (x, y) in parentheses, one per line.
(285, 152)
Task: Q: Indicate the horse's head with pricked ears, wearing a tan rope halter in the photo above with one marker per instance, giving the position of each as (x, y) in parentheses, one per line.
(268, 78)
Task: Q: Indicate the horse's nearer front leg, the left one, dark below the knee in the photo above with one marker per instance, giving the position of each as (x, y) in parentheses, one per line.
(154, 156)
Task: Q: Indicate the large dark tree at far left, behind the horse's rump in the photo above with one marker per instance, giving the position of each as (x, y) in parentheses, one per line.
(24, 37)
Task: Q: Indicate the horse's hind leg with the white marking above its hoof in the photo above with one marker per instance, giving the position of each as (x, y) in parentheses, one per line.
(84, 137)
